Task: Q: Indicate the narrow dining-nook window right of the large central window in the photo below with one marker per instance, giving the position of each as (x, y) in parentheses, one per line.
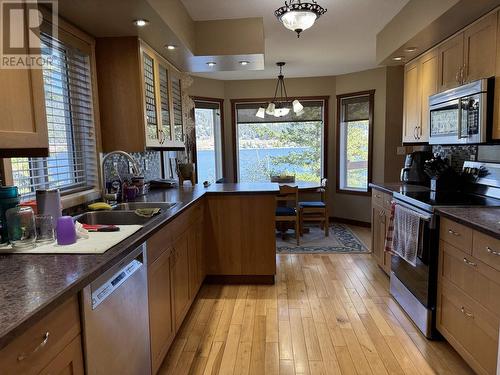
(354, 141)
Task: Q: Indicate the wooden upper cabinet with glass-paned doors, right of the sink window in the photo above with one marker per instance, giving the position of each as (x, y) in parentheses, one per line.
(135, 96)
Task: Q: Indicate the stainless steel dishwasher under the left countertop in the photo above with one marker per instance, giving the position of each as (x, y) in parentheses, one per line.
(115, 319)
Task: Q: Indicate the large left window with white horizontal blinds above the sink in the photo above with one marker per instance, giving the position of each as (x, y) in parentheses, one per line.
(72, 164)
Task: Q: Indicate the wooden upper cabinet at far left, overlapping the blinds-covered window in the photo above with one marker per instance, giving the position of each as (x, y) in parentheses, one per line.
(23, 129)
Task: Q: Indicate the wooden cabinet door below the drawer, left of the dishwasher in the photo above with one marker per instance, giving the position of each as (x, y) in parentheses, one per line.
(67, 362)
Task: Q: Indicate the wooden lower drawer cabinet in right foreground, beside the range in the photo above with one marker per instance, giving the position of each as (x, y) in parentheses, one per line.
(468, 308)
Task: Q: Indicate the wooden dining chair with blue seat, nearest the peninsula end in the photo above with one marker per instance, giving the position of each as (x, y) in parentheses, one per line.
(287, 204)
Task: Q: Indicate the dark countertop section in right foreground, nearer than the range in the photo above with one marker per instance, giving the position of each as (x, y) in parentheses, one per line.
(483, 219)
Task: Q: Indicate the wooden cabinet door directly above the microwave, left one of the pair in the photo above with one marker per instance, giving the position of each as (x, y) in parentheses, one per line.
(451, 58)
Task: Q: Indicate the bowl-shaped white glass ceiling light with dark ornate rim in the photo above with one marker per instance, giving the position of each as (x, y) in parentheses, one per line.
(298, 16)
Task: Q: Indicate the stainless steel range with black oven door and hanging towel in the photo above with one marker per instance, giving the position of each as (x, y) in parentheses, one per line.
(415, 287)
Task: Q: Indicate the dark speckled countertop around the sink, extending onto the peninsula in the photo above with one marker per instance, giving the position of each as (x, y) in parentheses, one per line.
(31, 285)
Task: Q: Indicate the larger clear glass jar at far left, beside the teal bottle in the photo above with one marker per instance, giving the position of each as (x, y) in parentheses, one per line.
(21, 227)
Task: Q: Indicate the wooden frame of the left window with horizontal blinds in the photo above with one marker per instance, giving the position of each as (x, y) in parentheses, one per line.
(69, 34)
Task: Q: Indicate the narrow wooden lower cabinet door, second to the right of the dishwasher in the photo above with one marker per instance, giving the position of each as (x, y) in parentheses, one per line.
(180, 279)
